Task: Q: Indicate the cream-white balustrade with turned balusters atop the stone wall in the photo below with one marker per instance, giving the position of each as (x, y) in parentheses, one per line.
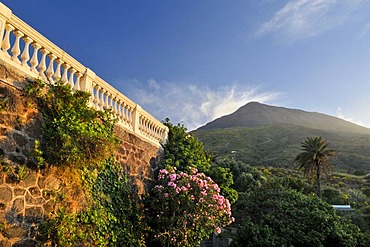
(14, 32)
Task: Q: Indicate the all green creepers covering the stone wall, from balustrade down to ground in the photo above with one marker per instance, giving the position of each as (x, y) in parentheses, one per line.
(82, 139)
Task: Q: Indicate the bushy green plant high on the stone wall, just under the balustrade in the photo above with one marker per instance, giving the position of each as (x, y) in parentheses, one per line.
(73, 133)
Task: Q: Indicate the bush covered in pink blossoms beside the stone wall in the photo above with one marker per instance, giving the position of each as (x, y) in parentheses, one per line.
(186, 208)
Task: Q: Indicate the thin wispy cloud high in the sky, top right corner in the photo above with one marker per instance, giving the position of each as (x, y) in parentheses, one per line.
(300, 19)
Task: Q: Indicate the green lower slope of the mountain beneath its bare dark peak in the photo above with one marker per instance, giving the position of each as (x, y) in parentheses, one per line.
(277, 145)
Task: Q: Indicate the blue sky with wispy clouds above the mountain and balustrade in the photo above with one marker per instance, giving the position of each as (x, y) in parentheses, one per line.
(194, 61)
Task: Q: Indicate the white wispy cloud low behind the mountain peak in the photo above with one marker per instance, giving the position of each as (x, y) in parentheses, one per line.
(195, 105)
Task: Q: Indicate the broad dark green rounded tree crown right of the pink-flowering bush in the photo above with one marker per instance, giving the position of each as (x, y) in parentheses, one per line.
(285, 217)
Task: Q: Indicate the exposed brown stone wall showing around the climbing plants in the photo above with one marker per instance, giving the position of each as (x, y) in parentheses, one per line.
(28, 196)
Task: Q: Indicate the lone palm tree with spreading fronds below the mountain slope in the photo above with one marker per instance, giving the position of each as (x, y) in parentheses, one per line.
(314, 158)
